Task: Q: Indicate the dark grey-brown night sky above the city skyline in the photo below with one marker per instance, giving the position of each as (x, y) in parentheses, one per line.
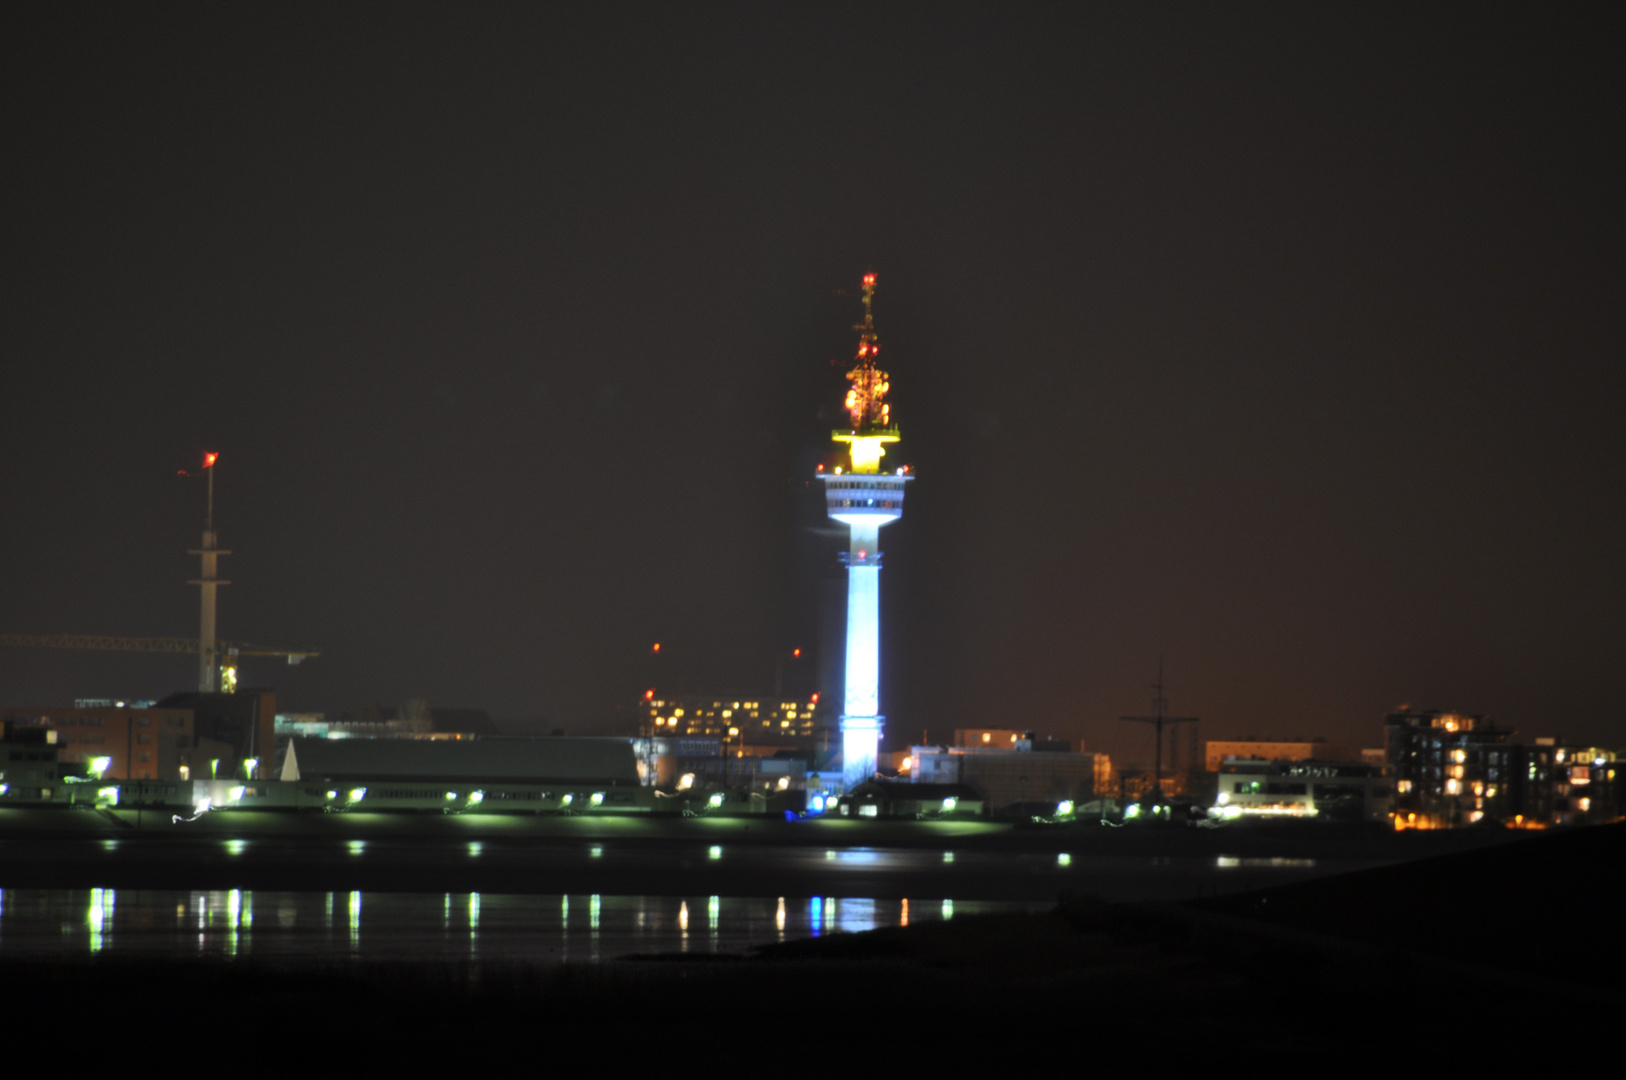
(1277, 341)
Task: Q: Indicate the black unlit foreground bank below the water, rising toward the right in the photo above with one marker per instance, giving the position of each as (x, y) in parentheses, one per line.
(1458, 959)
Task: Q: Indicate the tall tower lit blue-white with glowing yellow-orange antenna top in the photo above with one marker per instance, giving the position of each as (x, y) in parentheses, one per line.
(864, 499)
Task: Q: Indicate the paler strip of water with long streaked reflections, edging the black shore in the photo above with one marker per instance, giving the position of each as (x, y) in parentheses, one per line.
(428, 926)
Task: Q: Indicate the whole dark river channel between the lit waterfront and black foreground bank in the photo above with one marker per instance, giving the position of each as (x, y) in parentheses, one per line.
(316, 902)
